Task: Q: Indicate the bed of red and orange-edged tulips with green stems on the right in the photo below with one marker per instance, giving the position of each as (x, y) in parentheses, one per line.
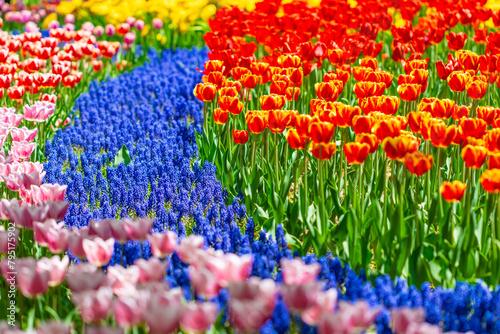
(315, 80)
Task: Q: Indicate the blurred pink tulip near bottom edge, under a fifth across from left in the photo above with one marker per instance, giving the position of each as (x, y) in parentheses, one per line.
(93, 305)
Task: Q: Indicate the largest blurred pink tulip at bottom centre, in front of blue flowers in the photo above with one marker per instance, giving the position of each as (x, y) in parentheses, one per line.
(252, 303)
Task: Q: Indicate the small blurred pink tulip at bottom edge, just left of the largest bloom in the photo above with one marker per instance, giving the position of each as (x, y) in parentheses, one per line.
(198, 317)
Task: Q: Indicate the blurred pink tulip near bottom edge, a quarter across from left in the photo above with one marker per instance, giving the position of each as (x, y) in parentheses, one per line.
(129, 310)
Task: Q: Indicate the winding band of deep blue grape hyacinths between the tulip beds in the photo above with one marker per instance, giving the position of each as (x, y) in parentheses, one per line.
(152, 112)
